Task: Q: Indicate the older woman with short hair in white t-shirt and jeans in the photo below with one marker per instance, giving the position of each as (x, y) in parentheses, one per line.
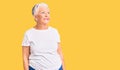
(41, 44)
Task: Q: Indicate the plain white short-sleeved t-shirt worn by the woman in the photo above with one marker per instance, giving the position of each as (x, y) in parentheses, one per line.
(43, 48)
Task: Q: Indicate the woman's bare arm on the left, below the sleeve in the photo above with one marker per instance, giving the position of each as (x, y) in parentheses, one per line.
(25, 52)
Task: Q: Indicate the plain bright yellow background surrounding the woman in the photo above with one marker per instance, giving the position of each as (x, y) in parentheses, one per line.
(89, 29)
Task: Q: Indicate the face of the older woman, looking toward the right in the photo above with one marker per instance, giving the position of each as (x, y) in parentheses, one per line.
(43, 15)
